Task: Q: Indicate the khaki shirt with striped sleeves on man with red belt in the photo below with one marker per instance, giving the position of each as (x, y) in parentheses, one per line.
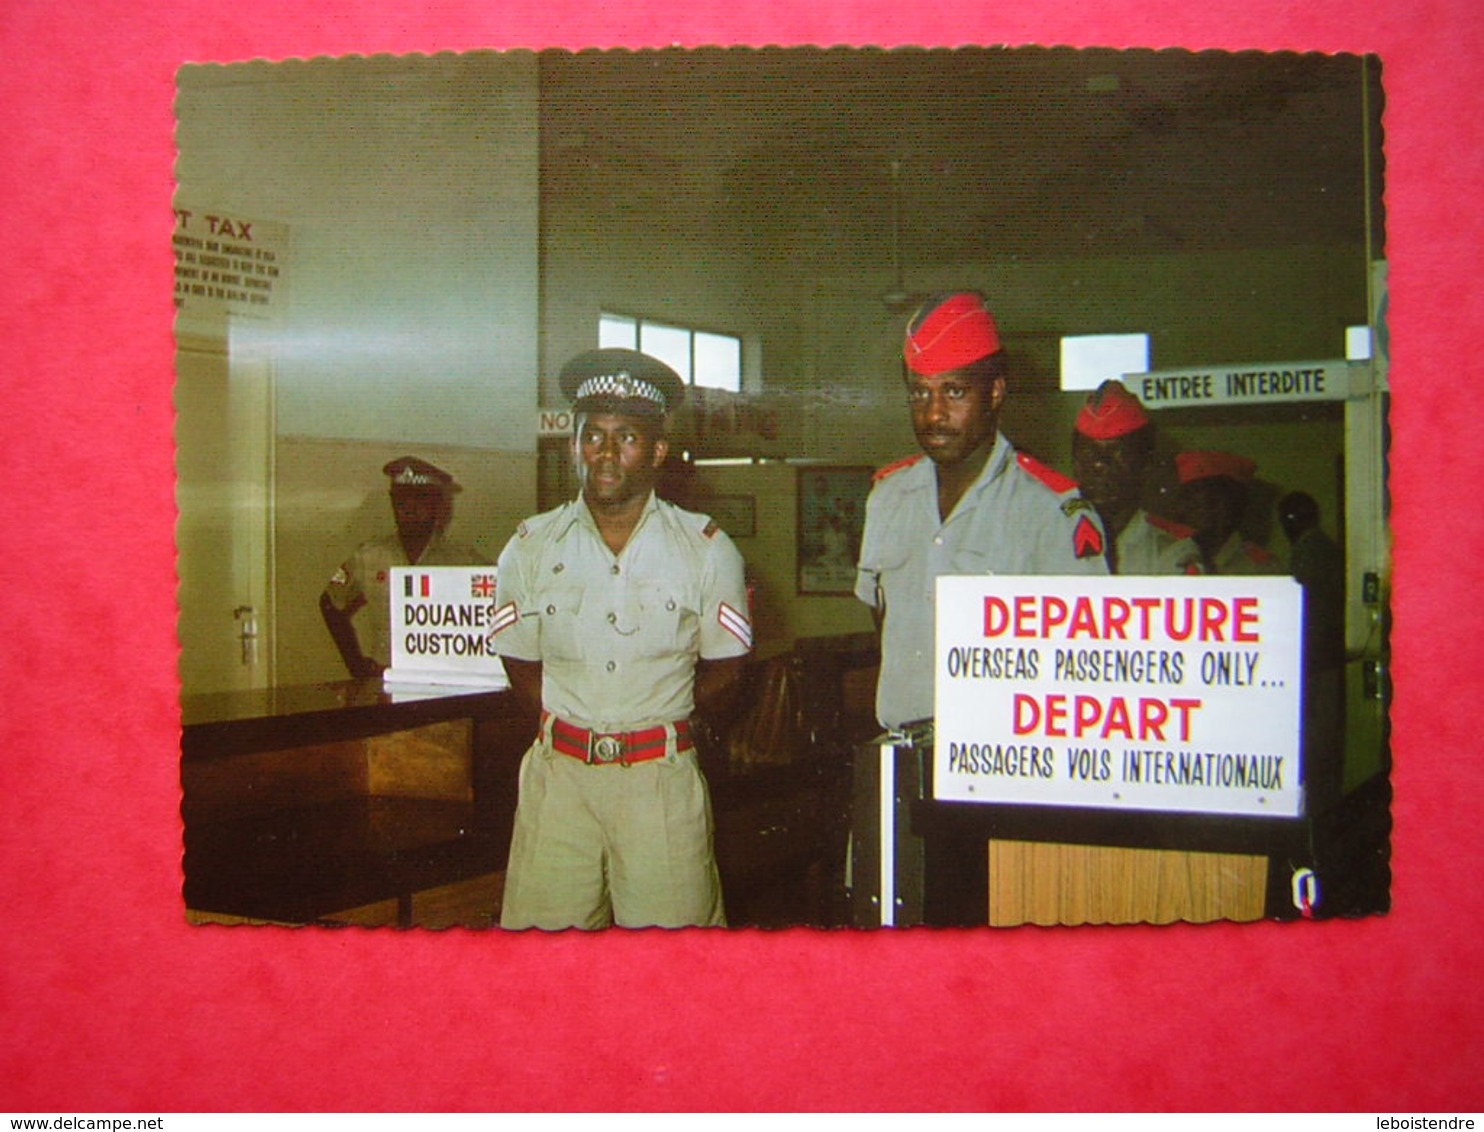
(620, 636)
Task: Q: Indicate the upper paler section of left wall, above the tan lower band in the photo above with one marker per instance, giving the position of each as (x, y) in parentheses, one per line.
(409, 186)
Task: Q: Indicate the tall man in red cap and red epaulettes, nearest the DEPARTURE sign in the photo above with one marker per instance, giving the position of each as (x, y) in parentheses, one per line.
(974, 507)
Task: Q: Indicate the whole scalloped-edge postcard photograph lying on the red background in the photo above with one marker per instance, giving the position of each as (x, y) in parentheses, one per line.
(783, 487)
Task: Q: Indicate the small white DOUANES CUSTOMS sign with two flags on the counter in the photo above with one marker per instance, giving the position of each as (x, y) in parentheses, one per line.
(441, 622)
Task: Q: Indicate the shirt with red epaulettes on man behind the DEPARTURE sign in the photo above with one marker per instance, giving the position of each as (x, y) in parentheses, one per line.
(1017, 519)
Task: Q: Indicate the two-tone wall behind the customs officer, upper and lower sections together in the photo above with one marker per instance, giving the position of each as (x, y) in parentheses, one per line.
(407, 305)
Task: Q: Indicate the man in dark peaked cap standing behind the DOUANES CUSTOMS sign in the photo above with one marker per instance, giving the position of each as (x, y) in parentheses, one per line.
(355, 602)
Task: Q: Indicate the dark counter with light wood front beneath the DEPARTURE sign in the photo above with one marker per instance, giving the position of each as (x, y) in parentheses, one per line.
(961, 864)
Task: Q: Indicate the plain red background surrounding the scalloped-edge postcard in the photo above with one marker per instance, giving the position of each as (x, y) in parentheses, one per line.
(111, 1002)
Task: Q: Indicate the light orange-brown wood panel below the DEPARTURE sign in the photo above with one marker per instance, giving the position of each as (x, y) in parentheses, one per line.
(1100, 885)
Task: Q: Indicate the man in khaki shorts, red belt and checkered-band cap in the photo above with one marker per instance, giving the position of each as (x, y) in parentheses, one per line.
(621, 615)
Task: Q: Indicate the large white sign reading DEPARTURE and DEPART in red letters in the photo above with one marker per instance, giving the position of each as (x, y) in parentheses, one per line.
(1129, 694)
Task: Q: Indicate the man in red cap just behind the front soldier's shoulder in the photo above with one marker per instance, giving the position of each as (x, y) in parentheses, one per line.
(1112, 452)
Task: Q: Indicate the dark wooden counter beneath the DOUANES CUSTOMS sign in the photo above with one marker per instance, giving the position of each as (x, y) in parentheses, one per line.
(344, 803)
